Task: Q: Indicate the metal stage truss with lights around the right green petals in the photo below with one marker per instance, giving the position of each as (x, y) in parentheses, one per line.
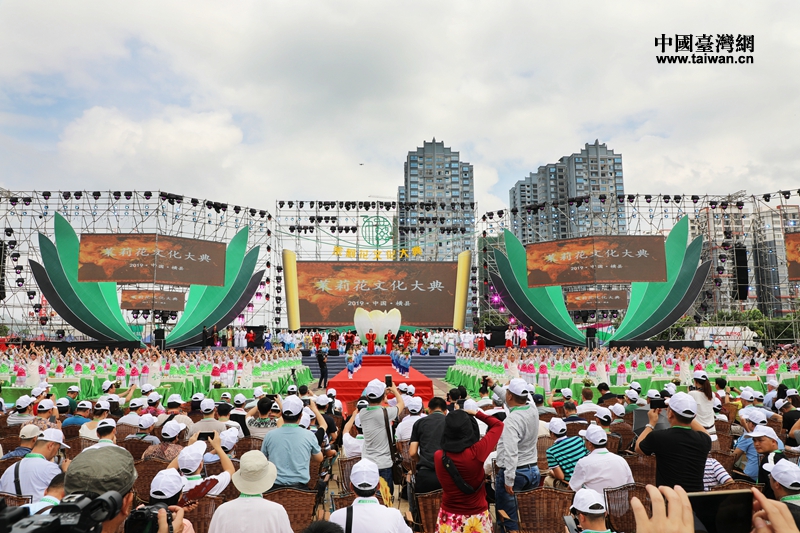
(727, 222)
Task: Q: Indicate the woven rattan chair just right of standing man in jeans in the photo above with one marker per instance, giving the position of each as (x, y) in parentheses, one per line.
(542, 510)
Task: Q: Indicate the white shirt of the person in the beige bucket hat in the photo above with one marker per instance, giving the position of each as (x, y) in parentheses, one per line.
(250, 515)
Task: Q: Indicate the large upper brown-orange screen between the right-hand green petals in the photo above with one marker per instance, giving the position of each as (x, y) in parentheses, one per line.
(602, 259)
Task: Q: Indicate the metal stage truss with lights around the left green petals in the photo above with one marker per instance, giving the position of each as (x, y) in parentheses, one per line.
(25, 214)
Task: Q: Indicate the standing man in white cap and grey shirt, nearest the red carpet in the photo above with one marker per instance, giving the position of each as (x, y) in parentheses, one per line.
(373, 423)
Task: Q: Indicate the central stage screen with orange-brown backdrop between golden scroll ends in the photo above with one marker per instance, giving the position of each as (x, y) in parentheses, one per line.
(330, 292)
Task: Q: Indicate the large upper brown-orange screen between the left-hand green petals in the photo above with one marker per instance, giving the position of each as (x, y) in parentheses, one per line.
(151, 258)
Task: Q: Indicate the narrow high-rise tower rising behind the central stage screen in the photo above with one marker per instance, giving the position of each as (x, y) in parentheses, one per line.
(437, 203)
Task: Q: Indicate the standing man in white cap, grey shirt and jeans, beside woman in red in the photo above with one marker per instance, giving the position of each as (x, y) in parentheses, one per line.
(516, 451)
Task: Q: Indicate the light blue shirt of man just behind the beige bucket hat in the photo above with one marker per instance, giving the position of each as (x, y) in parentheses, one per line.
(290, 448)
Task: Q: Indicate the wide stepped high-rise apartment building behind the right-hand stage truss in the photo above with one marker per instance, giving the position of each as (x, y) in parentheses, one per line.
(570, 198)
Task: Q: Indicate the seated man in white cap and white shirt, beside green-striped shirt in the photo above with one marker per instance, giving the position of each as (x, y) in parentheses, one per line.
(600, 469)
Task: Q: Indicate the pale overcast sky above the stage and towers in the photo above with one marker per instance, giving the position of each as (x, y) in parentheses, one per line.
(251, 102)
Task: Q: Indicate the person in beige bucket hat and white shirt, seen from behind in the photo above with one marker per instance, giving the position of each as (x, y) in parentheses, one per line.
(251, 512)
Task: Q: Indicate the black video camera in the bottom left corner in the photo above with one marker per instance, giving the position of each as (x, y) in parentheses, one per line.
(77, 513)
